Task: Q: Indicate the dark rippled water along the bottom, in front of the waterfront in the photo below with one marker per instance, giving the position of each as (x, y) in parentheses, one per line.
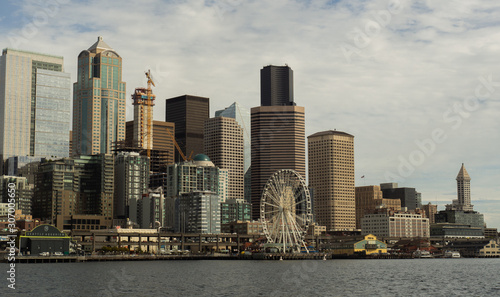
(411, 277)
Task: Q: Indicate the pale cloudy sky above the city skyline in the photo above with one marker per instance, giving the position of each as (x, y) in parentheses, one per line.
(416, 82)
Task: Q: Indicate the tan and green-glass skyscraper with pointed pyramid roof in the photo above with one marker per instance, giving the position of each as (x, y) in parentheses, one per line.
(99, 101)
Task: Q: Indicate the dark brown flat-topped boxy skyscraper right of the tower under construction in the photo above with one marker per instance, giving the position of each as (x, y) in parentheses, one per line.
(188, 113)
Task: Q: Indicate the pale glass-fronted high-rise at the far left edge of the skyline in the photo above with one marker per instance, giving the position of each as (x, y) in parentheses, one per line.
(35, 104)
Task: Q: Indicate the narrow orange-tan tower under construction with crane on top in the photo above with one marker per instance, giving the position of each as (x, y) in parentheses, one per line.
(144, 100)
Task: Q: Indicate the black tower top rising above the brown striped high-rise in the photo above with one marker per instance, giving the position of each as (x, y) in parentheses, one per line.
(276, 86)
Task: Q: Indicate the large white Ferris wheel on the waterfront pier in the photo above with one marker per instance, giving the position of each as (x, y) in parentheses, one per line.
(285, 210)
